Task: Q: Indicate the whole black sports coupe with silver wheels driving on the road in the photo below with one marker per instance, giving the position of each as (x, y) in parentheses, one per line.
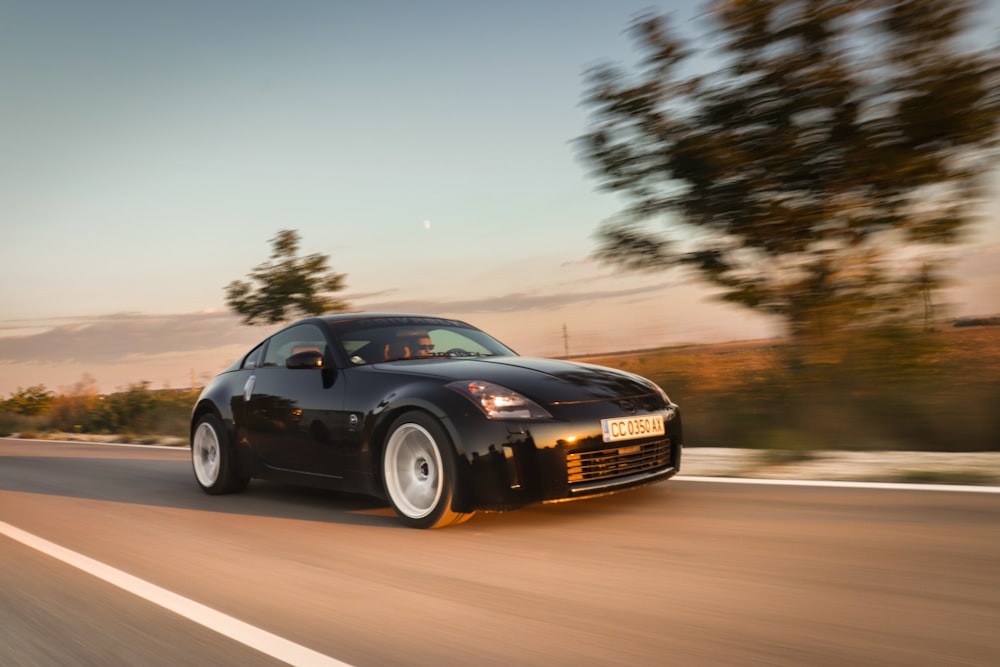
(431, 414)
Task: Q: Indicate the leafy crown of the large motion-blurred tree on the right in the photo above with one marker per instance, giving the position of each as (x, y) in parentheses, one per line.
(814, 173)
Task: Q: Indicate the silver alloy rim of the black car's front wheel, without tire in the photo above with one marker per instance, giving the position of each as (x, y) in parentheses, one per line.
(413, 468)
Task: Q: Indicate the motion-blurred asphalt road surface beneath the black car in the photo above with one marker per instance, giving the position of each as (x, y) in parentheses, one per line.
(681, 573)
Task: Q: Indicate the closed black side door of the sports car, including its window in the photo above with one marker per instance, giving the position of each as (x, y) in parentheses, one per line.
(294, 419)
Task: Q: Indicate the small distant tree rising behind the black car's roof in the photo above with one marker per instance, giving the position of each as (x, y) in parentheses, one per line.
(286, 285)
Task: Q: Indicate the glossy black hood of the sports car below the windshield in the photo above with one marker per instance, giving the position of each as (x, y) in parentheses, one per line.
(546, 381)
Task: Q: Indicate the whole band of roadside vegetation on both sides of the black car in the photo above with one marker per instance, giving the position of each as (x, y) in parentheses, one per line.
(885, 389)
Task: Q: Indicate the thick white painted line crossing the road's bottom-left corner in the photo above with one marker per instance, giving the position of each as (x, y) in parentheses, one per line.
(261, 640)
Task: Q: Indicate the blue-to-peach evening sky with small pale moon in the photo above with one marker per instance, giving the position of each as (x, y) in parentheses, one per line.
(149, 151)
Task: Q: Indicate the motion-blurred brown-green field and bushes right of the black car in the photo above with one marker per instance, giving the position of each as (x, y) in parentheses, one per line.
(872, 389)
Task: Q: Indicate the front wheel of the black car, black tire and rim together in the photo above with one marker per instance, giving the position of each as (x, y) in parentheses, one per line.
(418, 472)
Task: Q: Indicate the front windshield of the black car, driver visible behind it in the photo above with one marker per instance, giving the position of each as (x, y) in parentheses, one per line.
(394, 339)
